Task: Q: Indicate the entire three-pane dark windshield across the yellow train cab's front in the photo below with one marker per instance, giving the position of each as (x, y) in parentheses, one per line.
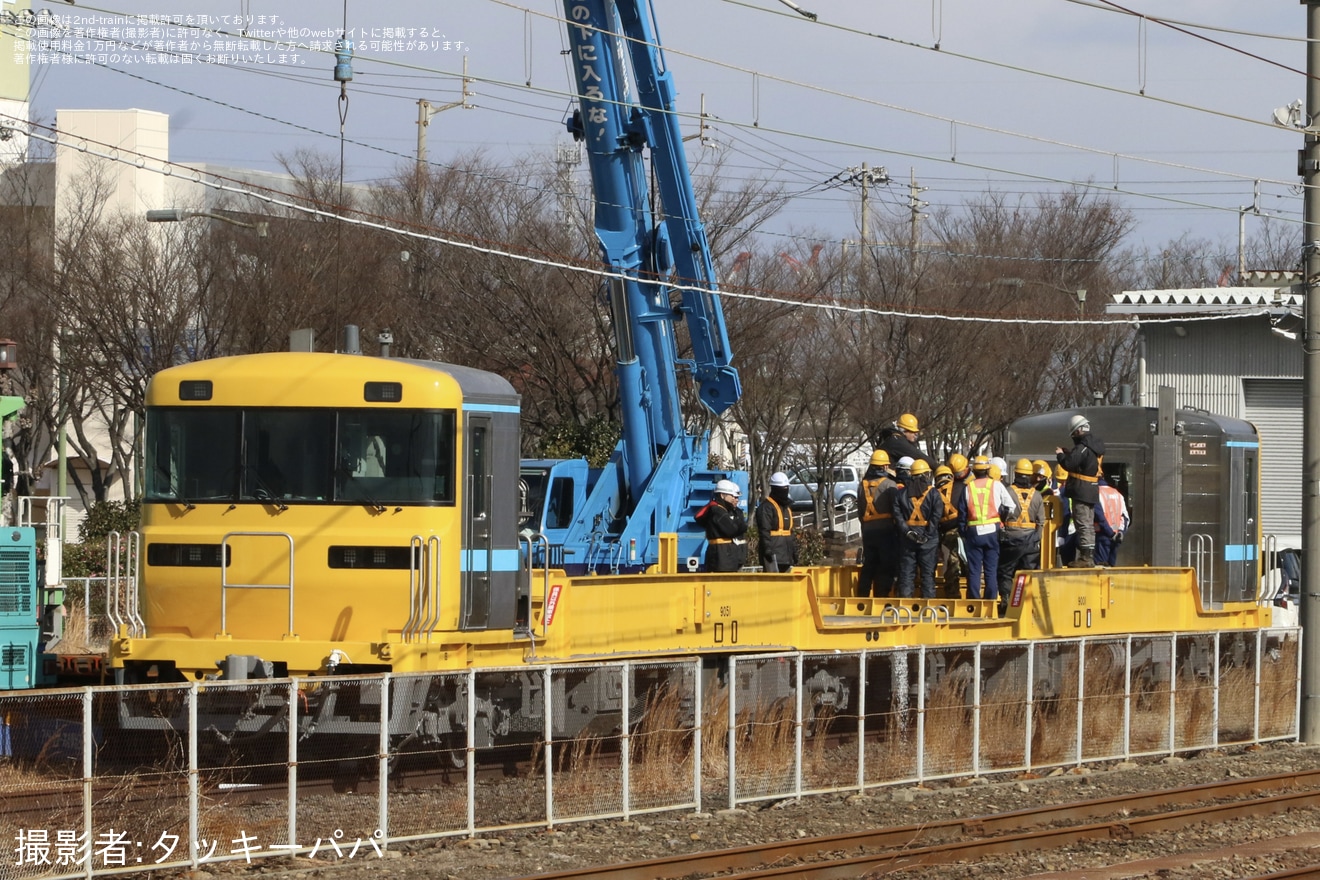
(373, 457)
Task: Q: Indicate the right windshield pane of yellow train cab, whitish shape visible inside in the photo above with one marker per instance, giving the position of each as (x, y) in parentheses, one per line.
(395, 457)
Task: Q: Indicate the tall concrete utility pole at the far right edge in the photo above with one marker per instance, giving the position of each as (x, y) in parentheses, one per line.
(1310, 171)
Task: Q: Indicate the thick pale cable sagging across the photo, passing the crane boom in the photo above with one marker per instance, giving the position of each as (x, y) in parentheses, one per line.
(364, 220)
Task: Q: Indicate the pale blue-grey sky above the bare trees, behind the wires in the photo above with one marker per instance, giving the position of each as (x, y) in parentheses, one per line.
(1021, 96)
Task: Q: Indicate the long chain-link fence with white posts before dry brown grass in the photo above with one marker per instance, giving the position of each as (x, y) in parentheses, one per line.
(123, 779)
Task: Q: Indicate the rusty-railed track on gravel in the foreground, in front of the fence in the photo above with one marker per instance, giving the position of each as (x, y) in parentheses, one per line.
(890, 852)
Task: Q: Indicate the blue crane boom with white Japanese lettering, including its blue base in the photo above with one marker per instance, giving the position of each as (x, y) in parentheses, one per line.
(661, 272)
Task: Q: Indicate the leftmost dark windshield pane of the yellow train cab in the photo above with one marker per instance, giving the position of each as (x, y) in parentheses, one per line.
(192, 455)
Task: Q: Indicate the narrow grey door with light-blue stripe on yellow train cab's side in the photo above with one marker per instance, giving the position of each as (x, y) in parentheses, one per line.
(478, 531)
